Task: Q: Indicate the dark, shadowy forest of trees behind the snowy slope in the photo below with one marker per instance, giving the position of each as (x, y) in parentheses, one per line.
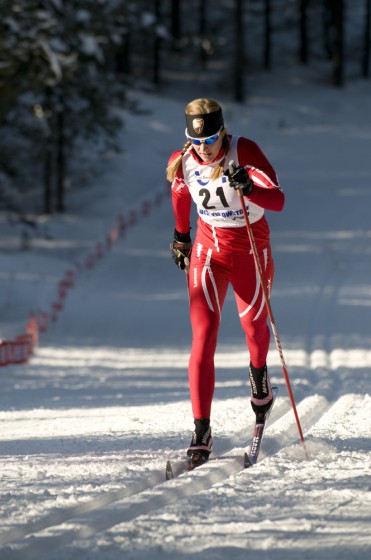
(66, 69)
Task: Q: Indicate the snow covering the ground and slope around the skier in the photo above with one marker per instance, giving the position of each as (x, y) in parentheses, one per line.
(88, 424)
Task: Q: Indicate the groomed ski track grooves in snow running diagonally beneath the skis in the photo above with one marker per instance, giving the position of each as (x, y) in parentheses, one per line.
(153, 493)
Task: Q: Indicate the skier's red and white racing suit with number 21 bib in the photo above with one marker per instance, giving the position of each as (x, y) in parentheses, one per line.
(222, 254)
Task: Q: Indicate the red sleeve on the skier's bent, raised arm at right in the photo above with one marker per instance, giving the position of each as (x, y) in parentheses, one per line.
(267, 192)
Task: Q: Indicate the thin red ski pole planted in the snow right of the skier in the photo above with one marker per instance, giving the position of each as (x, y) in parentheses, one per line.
(269, 309)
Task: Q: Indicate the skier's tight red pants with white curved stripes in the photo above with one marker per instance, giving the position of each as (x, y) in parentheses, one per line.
(211, 272)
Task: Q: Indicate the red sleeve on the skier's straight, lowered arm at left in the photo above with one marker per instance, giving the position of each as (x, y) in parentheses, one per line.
(181, 199)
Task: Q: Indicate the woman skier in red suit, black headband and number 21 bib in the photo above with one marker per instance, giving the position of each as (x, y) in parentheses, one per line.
(221, 253)
